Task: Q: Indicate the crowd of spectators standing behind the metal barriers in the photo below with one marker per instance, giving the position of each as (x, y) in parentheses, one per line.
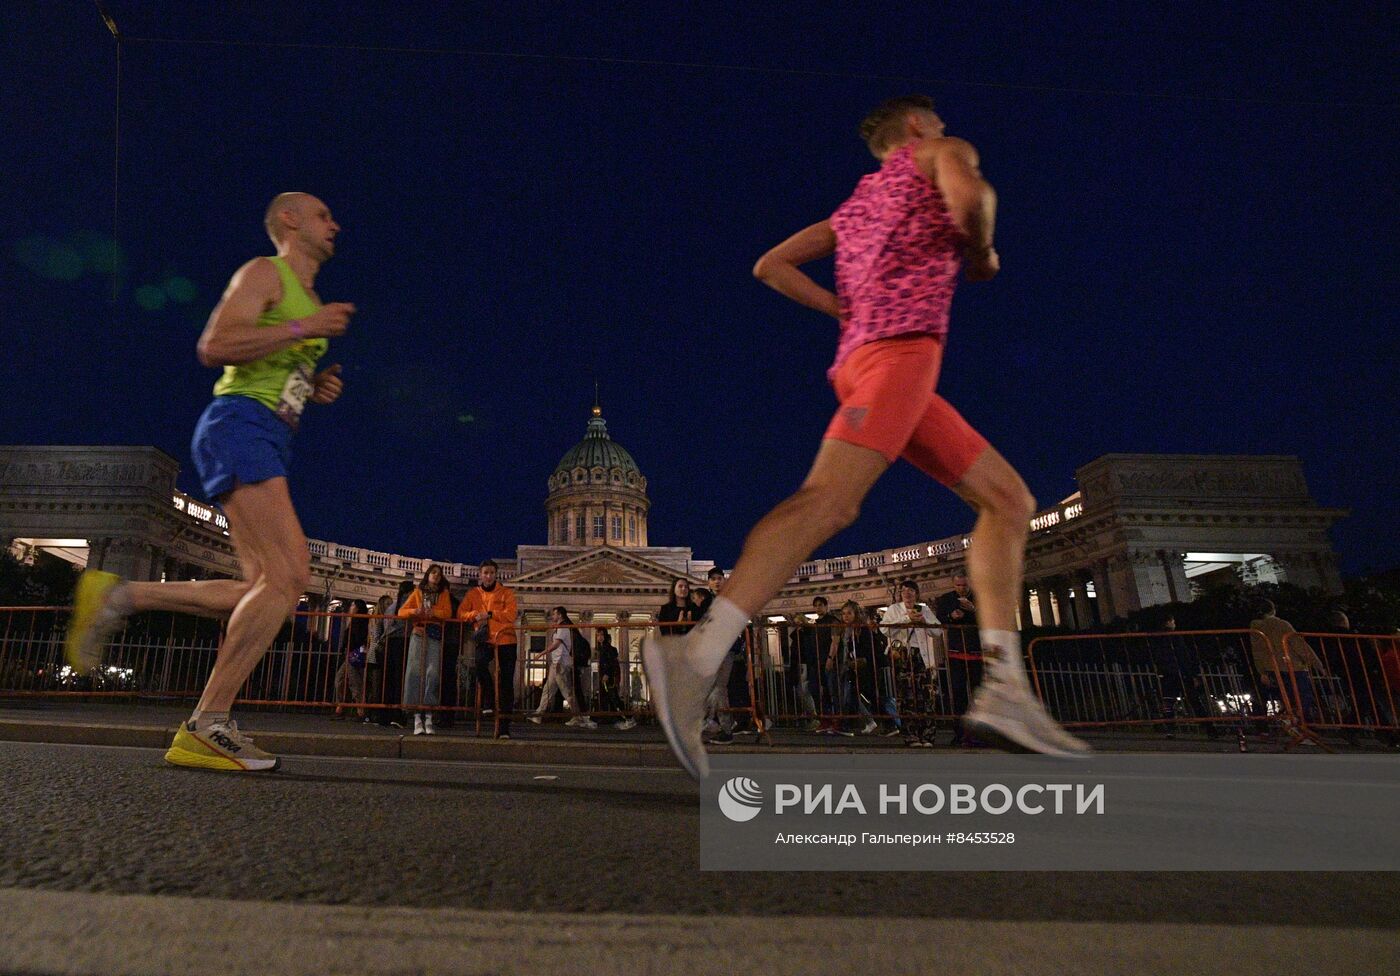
(904, 671)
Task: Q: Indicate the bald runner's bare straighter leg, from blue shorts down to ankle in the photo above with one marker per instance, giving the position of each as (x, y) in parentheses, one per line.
(272, 545)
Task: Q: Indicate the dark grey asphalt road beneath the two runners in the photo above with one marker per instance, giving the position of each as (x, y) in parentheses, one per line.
(587, 842)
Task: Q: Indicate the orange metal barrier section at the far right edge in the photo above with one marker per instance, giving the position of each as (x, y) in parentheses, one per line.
(1347, 684)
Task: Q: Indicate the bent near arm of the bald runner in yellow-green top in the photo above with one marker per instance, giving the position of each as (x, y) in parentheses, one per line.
(233, 335)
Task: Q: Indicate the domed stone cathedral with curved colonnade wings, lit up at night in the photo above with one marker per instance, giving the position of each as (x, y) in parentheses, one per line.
(1142, 530)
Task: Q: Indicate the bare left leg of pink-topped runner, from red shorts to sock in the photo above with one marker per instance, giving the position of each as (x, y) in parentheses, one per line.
(828, 502)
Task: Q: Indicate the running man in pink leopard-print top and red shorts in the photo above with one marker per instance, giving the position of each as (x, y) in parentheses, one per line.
(899, 243)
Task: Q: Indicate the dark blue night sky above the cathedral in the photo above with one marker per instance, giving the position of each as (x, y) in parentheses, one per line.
(1184, 275)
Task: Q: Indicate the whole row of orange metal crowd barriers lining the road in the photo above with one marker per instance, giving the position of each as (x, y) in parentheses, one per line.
(908, 680)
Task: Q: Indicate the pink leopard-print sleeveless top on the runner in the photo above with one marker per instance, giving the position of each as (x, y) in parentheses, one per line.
(898, 253)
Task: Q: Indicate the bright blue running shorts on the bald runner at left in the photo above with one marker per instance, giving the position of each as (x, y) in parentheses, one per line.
(239, 442)
